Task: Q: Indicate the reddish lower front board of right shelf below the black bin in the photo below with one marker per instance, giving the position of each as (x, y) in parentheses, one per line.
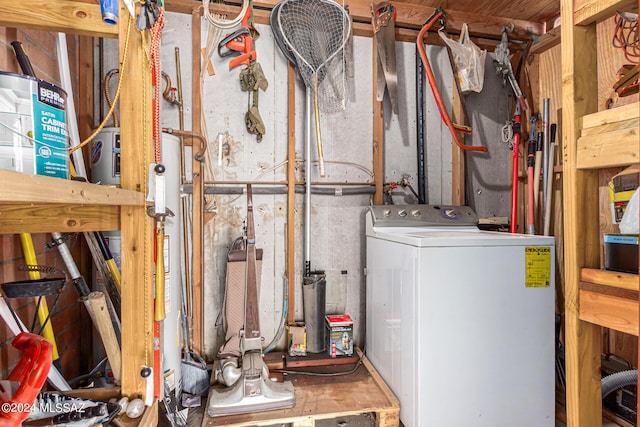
(615, 309)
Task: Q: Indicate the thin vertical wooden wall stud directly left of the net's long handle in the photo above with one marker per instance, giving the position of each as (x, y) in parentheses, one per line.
(291, 190)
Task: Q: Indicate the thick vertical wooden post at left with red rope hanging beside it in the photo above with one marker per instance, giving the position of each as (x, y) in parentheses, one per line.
(136, 226)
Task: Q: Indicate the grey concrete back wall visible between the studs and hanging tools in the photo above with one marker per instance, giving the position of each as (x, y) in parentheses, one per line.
(337, 222)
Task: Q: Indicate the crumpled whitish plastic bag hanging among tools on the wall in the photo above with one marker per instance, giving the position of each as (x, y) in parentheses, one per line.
(469, 60)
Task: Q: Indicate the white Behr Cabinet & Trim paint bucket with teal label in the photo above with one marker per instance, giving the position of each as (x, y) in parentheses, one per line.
(33, 129)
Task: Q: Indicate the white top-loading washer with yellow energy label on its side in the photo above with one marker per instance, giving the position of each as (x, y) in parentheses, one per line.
(460, 321)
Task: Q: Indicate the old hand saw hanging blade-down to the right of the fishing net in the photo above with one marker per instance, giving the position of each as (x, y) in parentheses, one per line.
(383, 21)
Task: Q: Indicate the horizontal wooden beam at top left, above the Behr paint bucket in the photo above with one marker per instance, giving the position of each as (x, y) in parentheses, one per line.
(64, 16)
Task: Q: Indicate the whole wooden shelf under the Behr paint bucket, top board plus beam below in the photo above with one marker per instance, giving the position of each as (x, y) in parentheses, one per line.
(39, 204)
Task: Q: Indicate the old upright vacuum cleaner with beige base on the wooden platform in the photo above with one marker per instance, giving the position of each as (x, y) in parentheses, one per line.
(253, 391)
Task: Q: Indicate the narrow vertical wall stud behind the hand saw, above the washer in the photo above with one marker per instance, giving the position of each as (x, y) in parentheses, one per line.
(378, 131)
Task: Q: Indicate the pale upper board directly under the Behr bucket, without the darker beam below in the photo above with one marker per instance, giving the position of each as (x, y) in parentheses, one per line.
(22, 188)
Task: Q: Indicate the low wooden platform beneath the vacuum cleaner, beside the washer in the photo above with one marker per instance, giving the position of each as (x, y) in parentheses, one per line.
(318, 398)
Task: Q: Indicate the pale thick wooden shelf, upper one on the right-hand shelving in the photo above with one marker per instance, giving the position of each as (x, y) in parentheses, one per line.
(609, 138)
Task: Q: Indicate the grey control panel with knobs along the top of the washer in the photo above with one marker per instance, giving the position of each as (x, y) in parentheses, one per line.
(421, 215)
